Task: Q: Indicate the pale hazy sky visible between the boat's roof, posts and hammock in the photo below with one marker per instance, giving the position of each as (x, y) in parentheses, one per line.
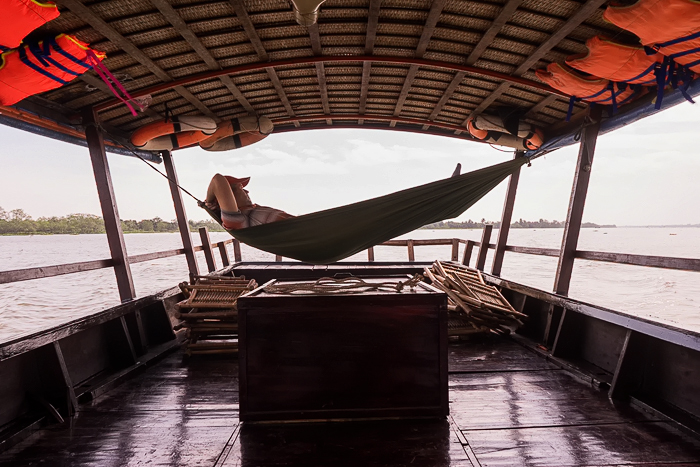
(644, 174)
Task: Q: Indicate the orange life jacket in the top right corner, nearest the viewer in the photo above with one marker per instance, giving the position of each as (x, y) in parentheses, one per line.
(671, 27)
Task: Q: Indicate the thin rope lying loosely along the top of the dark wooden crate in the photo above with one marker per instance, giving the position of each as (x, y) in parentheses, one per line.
(330, 285)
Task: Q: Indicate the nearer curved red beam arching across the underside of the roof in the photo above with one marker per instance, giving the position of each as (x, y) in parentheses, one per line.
(256, 66)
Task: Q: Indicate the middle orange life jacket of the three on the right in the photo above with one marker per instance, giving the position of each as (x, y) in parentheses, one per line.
(617, 62)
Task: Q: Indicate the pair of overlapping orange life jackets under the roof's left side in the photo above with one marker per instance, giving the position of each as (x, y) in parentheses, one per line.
(33, 67)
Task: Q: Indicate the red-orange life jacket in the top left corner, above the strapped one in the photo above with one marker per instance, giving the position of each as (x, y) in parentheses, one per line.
(20, 17)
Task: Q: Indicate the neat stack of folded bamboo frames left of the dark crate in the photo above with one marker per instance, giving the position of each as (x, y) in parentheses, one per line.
(210, 314)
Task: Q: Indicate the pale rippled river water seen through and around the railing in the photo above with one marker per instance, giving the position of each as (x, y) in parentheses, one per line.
(667, 296)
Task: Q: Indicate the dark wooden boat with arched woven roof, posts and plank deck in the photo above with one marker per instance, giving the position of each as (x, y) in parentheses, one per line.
(577, 384)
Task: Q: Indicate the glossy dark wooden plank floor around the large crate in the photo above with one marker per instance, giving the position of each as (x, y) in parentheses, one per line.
(508, 406)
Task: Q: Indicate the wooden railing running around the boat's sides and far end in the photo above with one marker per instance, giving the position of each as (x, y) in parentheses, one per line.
(470, 246)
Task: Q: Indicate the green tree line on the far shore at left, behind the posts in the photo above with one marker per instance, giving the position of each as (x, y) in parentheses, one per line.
(18, 222)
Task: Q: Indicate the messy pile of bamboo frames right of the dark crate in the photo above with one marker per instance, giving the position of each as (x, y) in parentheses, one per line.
(473, 305)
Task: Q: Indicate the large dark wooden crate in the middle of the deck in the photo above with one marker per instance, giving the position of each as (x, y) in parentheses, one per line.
(343, 356)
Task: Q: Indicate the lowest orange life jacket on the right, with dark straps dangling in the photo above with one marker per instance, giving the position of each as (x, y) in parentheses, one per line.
(585, 88)
